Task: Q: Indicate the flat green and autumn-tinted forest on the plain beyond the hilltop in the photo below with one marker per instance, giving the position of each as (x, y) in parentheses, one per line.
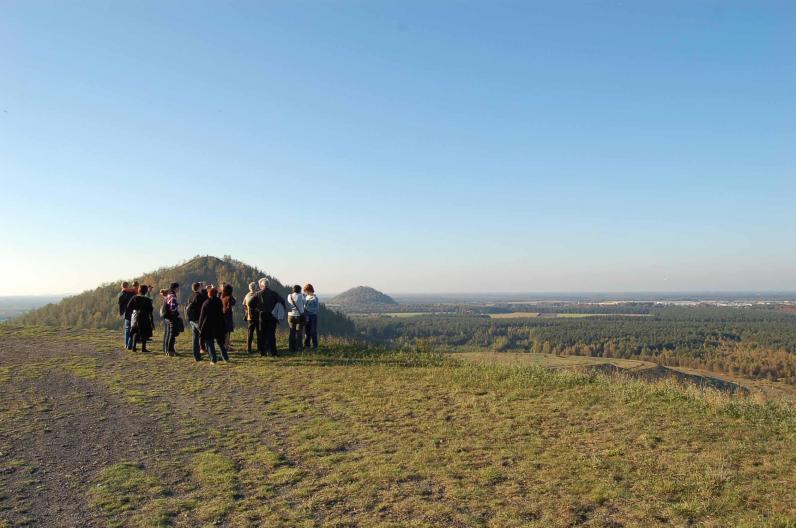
(753, 342)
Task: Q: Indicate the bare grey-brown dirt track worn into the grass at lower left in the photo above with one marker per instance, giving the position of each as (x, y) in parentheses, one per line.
(59, 430)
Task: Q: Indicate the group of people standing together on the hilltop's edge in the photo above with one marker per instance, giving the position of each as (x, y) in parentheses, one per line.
(209, 313)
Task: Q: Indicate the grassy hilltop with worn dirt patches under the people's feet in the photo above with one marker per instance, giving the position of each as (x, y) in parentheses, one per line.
(356, 436)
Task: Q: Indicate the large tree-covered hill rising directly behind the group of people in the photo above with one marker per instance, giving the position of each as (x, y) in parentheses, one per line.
(98, 308)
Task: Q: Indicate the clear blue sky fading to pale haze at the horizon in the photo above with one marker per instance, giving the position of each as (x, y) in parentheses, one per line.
(408, 145)
